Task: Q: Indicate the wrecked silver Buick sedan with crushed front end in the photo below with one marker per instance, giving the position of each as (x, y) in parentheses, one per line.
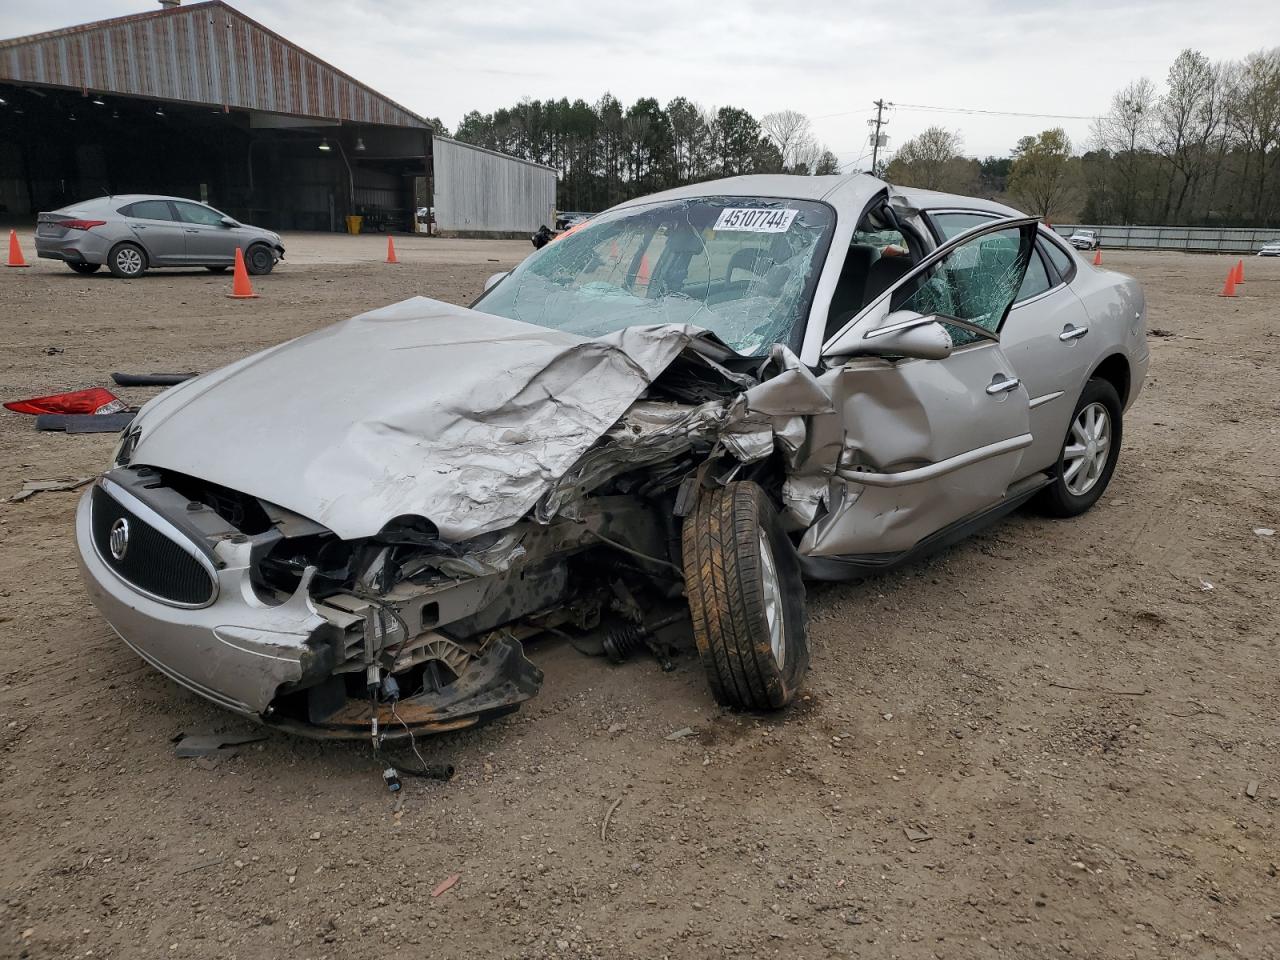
(655, 427)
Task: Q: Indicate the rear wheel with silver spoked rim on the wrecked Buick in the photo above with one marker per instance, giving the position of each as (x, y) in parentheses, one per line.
(1099, 412)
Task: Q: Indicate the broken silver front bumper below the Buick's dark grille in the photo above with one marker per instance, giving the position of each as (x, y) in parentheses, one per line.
(236, 652)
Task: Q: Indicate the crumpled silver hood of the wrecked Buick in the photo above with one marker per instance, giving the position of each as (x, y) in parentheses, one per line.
(418, 409)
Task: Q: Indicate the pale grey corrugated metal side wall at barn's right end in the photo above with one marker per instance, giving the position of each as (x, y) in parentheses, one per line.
(479, 191)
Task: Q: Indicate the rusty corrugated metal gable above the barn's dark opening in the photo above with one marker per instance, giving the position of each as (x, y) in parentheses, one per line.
(205, 53)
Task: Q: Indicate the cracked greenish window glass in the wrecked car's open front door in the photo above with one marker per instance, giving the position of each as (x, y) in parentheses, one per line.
(976, 282)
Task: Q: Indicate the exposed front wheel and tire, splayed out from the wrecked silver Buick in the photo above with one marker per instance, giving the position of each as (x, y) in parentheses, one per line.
(746, 598)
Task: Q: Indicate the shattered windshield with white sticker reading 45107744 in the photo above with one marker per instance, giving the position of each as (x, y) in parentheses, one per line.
(743, 268)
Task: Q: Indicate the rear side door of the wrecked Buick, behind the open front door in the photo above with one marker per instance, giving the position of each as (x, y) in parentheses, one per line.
(1043, 337)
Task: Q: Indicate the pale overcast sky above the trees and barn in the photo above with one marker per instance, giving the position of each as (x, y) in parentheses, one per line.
(829, 60)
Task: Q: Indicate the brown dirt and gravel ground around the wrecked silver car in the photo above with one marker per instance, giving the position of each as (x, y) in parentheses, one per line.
(1067, 710)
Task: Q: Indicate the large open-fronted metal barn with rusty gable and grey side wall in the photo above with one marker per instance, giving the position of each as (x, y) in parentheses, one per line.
(203, 102)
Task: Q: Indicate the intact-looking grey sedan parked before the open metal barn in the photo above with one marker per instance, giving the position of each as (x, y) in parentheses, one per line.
(132, 234)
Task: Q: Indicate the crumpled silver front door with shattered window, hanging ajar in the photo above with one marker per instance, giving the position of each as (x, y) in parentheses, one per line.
(918, 447)
